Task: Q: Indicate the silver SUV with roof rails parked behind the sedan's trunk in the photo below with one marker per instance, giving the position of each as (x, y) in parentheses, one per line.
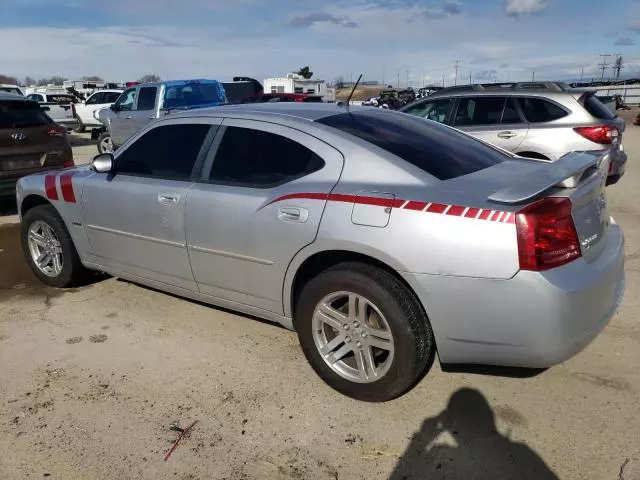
(544, 121)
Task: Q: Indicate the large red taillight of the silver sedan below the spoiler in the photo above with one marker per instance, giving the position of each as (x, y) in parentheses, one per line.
(547, 236)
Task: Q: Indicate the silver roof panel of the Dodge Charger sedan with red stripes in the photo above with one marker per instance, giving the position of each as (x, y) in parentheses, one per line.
(301, 111)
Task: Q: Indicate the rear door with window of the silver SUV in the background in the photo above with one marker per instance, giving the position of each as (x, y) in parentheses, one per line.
(496, 120)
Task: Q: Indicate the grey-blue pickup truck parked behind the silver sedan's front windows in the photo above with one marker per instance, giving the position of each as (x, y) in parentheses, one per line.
(141, 104)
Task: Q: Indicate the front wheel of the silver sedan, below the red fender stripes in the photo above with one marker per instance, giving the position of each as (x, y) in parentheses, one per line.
(49, 249)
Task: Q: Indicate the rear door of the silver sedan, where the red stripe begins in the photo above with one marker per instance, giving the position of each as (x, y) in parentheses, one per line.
(253, 210)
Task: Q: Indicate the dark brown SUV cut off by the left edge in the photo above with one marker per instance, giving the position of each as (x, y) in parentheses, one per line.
(29, 142)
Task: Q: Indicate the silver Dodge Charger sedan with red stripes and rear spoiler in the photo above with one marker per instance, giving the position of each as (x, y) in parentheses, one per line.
(379, 237)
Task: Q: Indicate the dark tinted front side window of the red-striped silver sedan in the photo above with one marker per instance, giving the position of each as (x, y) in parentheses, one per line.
(169, 151)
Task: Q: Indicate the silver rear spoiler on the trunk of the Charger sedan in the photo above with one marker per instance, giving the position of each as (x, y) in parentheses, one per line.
(566, 172)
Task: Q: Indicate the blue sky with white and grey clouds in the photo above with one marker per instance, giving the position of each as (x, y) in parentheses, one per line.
(405, 41)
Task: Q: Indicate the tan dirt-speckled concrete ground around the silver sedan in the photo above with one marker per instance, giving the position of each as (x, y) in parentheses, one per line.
(95, 381)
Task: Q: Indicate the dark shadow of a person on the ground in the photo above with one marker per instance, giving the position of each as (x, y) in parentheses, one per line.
(462, 442)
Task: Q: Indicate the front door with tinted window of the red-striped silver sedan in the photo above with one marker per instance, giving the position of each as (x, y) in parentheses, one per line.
(134, 218)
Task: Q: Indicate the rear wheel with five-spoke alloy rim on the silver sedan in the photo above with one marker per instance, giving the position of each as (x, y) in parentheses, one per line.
(363, 332)
